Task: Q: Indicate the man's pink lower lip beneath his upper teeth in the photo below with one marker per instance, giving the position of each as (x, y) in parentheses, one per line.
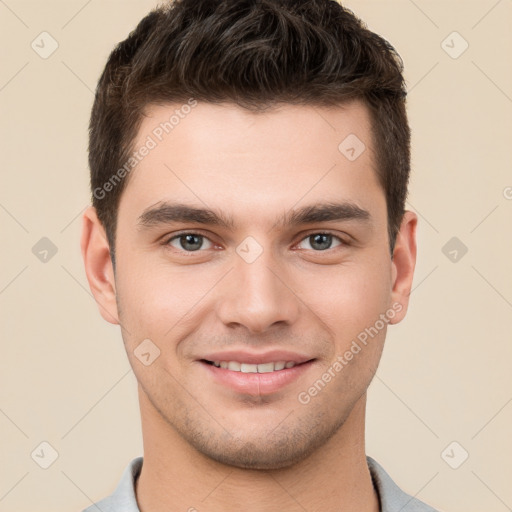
(257, 383)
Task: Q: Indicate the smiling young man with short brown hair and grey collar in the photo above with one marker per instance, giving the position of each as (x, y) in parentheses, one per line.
(249, 168)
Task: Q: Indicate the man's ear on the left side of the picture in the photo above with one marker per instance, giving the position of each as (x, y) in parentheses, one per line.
(98, 265)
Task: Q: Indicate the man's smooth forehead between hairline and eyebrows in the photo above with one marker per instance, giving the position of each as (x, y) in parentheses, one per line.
(237, 159)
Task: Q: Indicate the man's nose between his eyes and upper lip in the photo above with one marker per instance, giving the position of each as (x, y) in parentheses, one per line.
(257, 296)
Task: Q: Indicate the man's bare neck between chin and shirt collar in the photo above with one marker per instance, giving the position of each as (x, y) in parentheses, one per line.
(176, 477)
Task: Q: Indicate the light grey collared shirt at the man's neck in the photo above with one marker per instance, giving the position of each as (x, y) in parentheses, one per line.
(392, 498)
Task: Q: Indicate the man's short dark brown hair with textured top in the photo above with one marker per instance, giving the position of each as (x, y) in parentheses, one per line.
(254, 53)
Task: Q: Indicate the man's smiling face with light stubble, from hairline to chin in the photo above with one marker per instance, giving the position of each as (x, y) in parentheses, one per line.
(273, 284)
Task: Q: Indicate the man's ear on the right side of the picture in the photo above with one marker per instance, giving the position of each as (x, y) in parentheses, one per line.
(403, 263)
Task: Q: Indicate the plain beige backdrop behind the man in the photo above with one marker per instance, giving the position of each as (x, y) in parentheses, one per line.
(445, 375)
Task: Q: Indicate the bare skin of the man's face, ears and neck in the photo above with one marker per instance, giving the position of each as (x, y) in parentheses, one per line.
(206, 445)
